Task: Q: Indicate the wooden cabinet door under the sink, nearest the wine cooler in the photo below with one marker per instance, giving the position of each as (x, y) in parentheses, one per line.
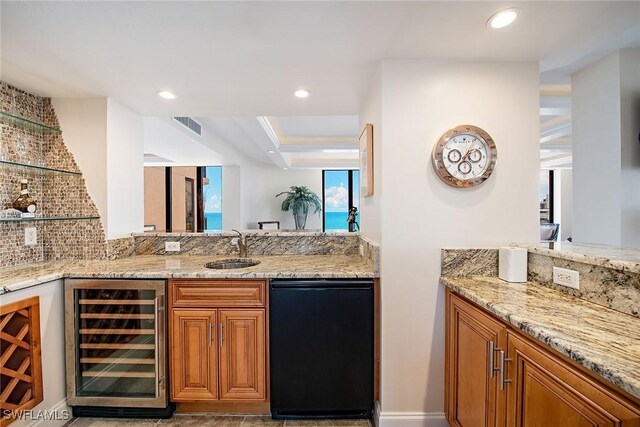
(194, 364)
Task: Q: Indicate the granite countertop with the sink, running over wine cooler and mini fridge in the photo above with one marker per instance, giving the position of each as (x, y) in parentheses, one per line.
(162, 267)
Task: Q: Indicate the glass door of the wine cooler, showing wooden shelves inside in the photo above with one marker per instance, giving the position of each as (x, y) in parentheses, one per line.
(118, 353)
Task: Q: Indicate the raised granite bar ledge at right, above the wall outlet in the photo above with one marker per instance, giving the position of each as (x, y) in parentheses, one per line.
(623, 259)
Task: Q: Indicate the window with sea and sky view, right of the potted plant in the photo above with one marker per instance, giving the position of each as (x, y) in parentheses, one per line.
(340, 192)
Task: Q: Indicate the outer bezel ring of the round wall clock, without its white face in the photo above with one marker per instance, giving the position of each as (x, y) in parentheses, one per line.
(438, 163)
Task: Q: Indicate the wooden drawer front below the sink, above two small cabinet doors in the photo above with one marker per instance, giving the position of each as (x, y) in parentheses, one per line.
(218, 293)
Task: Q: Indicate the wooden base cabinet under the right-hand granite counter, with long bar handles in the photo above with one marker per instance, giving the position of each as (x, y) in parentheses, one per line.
(496, 376)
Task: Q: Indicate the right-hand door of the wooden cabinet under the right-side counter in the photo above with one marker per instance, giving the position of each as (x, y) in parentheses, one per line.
(546, 390)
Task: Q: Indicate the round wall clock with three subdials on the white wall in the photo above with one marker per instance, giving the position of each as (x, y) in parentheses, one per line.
(464, 156)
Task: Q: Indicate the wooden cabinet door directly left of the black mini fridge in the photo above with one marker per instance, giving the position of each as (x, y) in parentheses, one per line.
(242, 354)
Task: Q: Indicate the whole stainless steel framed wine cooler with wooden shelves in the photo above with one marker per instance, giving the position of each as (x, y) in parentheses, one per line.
(116, 346)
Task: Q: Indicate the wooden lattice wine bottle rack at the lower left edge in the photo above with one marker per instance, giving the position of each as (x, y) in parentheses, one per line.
(20, 358)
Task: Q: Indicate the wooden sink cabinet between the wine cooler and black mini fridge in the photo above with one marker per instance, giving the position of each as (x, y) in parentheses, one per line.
(218, 354)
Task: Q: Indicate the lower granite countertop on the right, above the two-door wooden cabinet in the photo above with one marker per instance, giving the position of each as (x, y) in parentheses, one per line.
(602, 340)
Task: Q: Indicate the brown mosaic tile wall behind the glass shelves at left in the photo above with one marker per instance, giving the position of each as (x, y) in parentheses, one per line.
(56, 194)
